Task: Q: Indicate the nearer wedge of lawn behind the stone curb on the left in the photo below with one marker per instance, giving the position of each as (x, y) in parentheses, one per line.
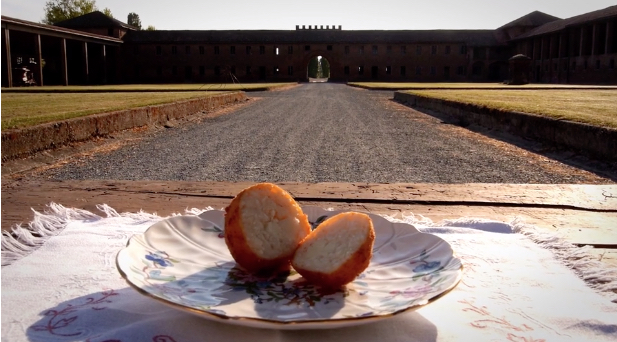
(27, 109)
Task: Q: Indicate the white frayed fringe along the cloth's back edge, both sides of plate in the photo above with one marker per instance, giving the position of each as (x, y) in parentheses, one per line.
(21, 241)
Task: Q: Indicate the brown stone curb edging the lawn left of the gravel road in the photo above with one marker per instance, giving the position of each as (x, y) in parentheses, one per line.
(22, 142)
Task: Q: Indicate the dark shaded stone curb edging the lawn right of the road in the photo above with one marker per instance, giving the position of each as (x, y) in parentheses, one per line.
(598, 142)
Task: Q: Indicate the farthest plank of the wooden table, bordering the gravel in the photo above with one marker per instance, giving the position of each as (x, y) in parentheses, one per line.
(575, 196)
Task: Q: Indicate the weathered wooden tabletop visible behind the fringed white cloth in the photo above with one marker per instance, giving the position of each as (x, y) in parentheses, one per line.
(582, 214)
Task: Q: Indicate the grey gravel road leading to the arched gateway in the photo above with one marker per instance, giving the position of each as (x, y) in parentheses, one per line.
(323, 133)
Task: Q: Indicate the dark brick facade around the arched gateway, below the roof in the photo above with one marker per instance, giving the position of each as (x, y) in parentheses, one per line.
(421, 62)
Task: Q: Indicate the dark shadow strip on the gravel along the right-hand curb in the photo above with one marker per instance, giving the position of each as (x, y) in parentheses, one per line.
(552, 151)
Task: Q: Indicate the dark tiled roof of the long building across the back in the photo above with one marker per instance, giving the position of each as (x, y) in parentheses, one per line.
(470, 37)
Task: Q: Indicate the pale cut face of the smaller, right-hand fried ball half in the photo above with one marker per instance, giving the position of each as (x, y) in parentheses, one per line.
(332, 244)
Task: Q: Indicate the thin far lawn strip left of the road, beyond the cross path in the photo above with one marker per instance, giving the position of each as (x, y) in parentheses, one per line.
(149, 87)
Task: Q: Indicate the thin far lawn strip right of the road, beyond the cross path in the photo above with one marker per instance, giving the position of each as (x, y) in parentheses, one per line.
(452, 85)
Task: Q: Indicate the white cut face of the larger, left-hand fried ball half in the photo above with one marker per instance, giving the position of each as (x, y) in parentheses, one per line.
(270, 222)
